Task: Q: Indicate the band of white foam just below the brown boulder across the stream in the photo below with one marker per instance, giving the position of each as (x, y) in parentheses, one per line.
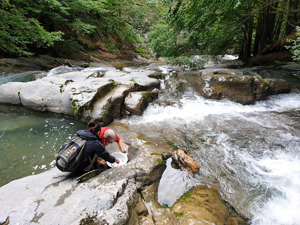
(191, 110)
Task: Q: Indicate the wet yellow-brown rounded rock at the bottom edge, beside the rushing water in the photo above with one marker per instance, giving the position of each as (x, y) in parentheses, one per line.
(201, 205)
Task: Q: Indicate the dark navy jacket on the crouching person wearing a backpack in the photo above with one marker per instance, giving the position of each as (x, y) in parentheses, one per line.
(94, 146)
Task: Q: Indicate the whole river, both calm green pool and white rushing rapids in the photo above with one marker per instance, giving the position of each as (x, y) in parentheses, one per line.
(249, 153)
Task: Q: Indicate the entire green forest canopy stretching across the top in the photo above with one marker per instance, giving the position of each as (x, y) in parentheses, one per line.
(170, 28)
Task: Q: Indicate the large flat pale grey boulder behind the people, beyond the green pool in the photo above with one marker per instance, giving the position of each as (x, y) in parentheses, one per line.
(84, 94)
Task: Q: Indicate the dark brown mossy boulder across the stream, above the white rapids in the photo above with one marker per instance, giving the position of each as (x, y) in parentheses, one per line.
(233, 85)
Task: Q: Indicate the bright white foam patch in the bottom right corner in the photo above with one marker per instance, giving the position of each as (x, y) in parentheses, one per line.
(283, 177)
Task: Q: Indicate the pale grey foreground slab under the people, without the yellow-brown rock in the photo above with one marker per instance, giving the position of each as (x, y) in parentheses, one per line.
(54, 197)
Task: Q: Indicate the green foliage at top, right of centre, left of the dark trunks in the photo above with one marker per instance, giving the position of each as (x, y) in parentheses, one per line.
(192, 26)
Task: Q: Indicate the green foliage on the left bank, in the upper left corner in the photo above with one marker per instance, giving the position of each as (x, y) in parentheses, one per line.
(28, 25)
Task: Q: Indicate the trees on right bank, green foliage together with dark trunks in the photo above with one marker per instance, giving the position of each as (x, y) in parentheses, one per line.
(251, 27)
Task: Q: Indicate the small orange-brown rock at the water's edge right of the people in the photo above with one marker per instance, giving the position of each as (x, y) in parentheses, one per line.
(185, 162)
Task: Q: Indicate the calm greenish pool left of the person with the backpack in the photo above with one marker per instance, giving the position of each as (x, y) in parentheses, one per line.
(30, 140)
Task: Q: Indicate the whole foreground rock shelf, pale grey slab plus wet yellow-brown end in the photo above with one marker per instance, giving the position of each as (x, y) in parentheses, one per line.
(120, 195)
